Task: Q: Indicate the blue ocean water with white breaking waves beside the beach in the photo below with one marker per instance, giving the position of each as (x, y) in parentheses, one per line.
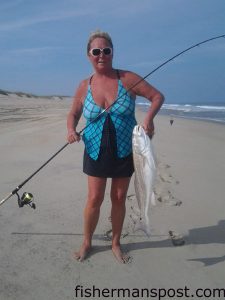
(200, 111)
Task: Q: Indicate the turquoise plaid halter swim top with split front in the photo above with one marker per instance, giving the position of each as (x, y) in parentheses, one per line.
(123, 118)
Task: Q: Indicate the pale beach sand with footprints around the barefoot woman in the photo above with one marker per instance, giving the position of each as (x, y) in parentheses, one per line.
(37, 246)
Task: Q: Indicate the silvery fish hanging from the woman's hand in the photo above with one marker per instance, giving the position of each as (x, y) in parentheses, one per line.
(145, 169)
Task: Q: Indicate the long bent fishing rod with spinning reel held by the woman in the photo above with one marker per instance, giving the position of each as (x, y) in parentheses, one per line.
(27, 198)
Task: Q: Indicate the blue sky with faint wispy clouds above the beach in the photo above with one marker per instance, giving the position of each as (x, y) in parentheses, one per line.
(43, 44)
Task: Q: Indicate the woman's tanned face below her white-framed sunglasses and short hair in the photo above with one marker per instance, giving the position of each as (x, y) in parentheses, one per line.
(101, 62)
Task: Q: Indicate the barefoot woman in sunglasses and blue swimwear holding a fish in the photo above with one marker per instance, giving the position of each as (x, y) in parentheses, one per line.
(108, 139)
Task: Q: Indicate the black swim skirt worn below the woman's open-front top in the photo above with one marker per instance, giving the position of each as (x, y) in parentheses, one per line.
(108, 164)
